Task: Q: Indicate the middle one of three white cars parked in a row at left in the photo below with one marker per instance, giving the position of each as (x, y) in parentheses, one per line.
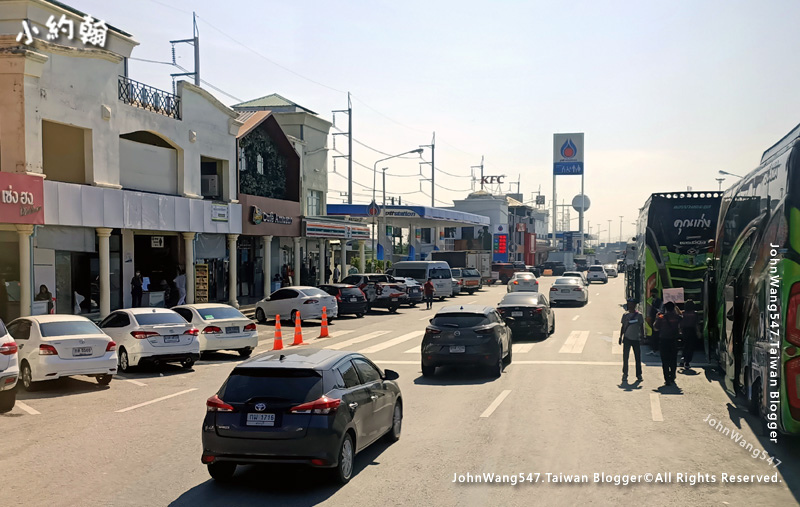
(152, 335)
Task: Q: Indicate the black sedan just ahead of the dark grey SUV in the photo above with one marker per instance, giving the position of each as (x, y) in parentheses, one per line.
(527, 314)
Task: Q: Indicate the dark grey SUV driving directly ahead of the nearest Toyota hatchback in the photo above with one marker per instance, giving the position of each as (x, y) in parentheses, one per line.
(468, 334)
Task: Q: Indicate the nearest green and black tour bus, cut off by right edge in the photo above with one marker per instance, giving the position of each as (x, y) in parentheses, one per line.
(753, 312)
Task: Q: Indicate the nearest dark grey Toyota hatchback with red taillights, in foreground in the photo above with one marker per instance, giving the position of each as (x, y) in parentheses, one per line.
(313, 406)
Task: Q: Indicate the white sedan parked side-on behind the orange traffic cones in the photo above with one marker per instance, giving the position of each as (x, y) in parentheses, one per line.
(291, 301)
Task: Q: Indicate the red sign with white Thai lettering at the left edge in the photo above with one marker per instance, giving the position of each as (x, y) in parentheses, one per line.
(21, 199)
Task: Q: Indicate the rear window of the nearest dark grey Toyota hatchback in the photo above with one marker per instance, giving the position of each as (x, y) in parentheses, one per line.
(293, 385)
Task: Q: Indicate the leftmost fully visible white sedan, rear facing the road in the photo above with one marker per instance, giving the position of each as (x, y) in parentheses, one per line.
(55, 346)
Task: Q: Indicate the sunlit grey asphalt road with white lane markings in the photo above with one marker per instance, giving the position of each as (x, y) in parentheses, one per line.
(559, 408)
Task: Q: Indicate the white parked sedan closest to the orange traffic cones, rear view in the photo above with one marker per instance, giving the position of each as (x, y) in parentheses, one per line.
(222, 327)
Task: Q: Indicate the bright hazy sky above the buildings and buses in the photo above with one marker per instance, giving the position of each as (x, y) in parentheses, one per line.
(667, 93)
